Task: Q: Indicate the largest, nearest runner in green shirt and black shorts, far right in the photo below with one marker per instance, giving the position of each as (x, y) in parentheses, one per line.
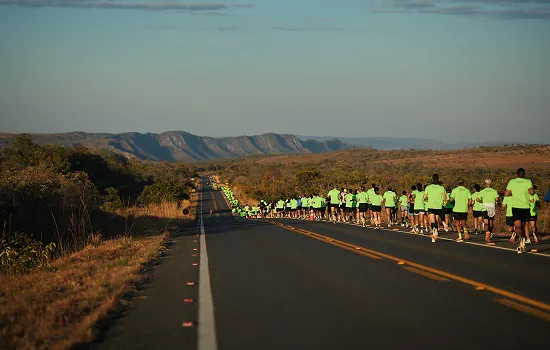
(520, 189)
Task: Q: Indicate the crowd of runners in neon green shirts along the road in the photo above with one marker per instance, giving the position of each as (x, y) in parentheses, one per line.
(424, 208)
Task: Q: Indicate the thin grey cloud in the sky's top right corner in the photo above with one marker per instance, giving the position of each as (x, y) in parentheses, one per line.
(496, 9)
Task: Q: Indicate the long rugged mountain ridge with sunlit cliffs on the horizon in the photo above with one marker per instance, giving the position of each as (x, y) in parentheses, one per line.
(183, 146)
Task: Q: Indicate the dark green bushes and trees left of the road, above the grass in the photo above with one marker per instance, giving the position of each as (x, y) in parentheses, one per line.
(54, 193)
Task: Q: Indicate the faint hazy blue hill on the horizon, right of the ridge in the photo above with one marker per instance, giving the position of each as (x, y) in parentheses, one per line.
(390, 143)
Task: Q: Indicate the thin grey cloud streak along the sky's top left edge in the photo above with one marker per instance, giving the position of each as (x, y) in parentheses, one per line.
(152, 6)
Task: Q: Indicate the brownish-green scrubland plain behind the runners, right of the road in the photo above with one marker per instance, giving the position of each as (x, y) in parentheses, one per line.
(288, 176)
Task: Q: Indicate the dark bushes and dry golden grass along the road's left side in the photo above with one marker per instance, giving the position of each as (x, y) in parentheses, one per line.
(77, 229)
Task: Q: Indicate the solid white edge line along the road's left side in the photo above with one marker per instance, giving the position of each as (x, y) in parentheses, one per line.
(207, 325)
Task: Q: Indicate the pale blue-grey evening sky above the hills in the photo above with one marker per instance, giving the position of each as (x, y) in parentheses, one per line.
(452, 70)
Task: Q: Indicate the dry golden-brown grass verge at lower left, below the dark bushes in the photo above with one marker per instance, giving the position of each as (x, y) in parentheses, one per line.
(57, 307)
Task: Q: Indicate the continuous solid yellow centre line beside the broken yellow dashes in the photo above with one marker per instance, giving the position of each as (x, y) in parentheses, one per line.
(475, 284)
